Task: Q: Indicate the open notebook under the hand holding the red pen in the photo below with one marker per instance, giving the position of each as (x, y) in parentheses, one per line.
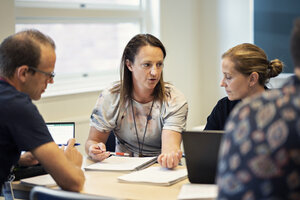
(122, 163)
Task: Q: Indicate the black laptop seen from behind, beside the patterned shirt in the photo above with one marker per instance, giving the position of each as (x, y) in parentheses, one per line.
(201, 150)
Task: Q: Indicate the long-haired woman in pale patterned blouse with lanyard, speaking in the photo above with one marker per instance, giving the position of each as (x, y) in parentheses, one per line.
(146, 114)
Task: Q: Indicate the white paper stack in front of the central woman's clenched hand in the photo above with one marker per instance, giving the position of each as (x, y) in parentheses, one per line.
(155, 175)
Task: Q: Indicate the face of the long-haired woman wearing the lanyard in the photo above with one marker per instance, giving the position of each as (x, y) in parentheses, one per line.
(147, 68)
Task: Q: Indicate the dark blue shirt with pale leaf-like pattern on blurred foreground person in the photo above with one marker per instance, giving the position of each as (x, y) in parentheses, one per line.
(260, 153)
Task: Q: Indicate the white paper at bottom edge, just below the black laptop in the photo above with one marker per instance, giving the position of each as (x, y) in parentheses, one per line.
(198, 191)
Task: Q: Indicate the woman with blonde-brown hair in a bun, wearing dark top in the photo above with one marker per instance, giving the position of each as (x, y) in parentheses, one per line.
(246, 70)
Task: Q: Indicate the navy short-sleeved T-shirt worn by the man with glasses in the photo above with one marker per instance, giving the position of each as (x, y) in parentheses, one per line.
(22, 128)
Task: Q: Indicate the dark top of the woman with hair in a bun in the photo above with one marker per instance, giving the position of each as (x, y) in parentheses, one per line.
(218, 117)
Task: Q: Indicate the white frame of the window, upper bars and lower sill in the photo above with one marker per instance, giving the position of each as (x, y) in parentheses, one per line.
(146, 15)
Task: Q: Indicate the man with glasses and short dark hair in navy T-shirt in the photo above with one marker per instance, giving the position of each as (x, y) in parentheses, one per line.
(27, 62)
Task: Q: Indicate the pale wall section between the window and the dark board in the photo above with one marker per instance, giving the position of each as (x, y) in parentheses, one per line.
(196, 33)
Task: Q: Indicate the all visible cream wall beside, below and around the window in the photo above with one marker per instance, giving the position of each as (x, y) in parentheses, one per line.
(195, 34)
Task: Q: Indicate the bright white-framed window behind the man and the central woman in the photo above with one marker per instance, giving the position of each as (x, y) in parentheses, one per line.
(89, 36)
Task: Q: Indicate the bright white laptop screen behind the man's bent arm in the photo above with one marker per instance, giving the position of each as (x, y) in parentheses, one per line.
(61, 132)
